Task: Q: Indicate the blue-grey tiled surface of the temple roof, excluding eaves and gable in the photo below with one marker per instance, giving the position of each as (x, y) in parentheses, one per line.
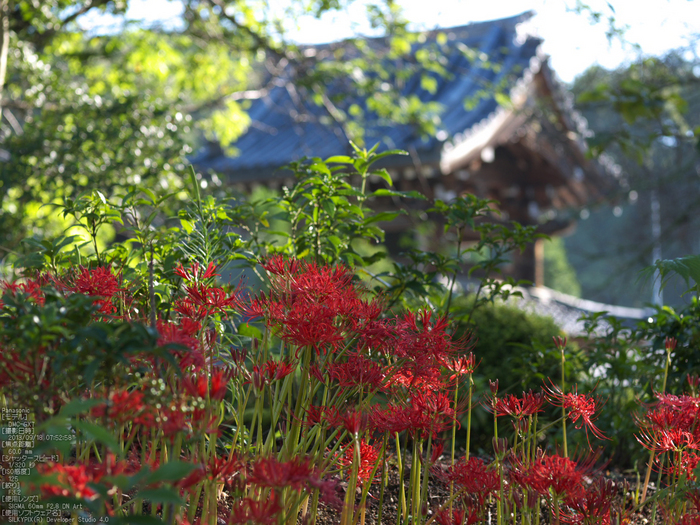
(276, 138)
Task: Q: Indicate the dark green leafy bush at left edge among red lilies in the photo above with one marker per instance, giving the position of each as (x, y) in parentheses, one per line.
(78, 353)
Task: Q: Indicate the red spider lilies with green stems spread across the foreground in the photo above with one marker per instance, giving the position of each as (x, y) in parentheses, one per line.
(334, 393)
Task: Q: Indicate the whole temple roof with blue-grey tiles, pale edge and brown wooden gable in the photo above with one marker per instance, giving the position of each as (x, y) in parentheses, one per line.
(507, 126)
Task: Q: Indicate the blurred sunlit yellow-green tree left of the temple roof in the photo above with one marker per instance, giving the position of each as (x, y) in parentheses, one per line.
(83, 110)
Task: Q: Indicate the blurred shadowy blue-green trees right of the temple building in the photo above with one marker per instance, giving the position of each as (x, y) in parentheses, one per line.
(646, 117)
